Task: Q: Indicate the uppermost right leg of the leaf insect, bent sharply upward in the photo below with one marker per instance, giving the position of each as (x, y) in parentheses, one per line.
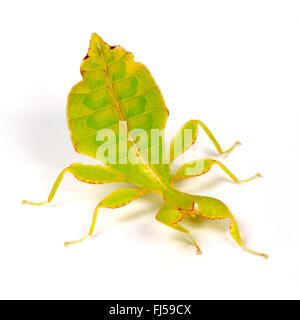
(181, 143)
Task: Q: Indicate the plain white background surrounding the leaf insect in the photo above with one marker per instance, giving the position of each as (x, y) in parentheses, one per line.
(232, 64)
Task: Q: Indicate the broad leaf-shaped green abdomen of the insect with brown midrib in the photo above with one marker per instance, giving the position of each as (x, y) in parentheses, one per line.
(117, 94)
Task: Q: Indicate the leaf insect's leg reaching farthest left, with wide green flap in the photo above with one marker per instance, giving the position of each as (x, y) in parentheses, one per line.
(86, 173)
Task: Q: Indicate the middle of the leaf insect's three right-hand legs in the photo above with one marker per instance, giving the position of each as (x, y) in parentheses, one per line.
(198, 167)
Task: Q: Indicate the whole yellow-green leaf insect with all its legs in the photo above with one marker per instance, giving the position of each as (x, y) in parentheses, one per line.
(112, 114)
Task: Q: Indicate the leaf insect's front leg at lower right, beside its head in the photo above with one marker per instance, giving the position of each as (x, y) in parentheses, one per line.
(212, 208)
